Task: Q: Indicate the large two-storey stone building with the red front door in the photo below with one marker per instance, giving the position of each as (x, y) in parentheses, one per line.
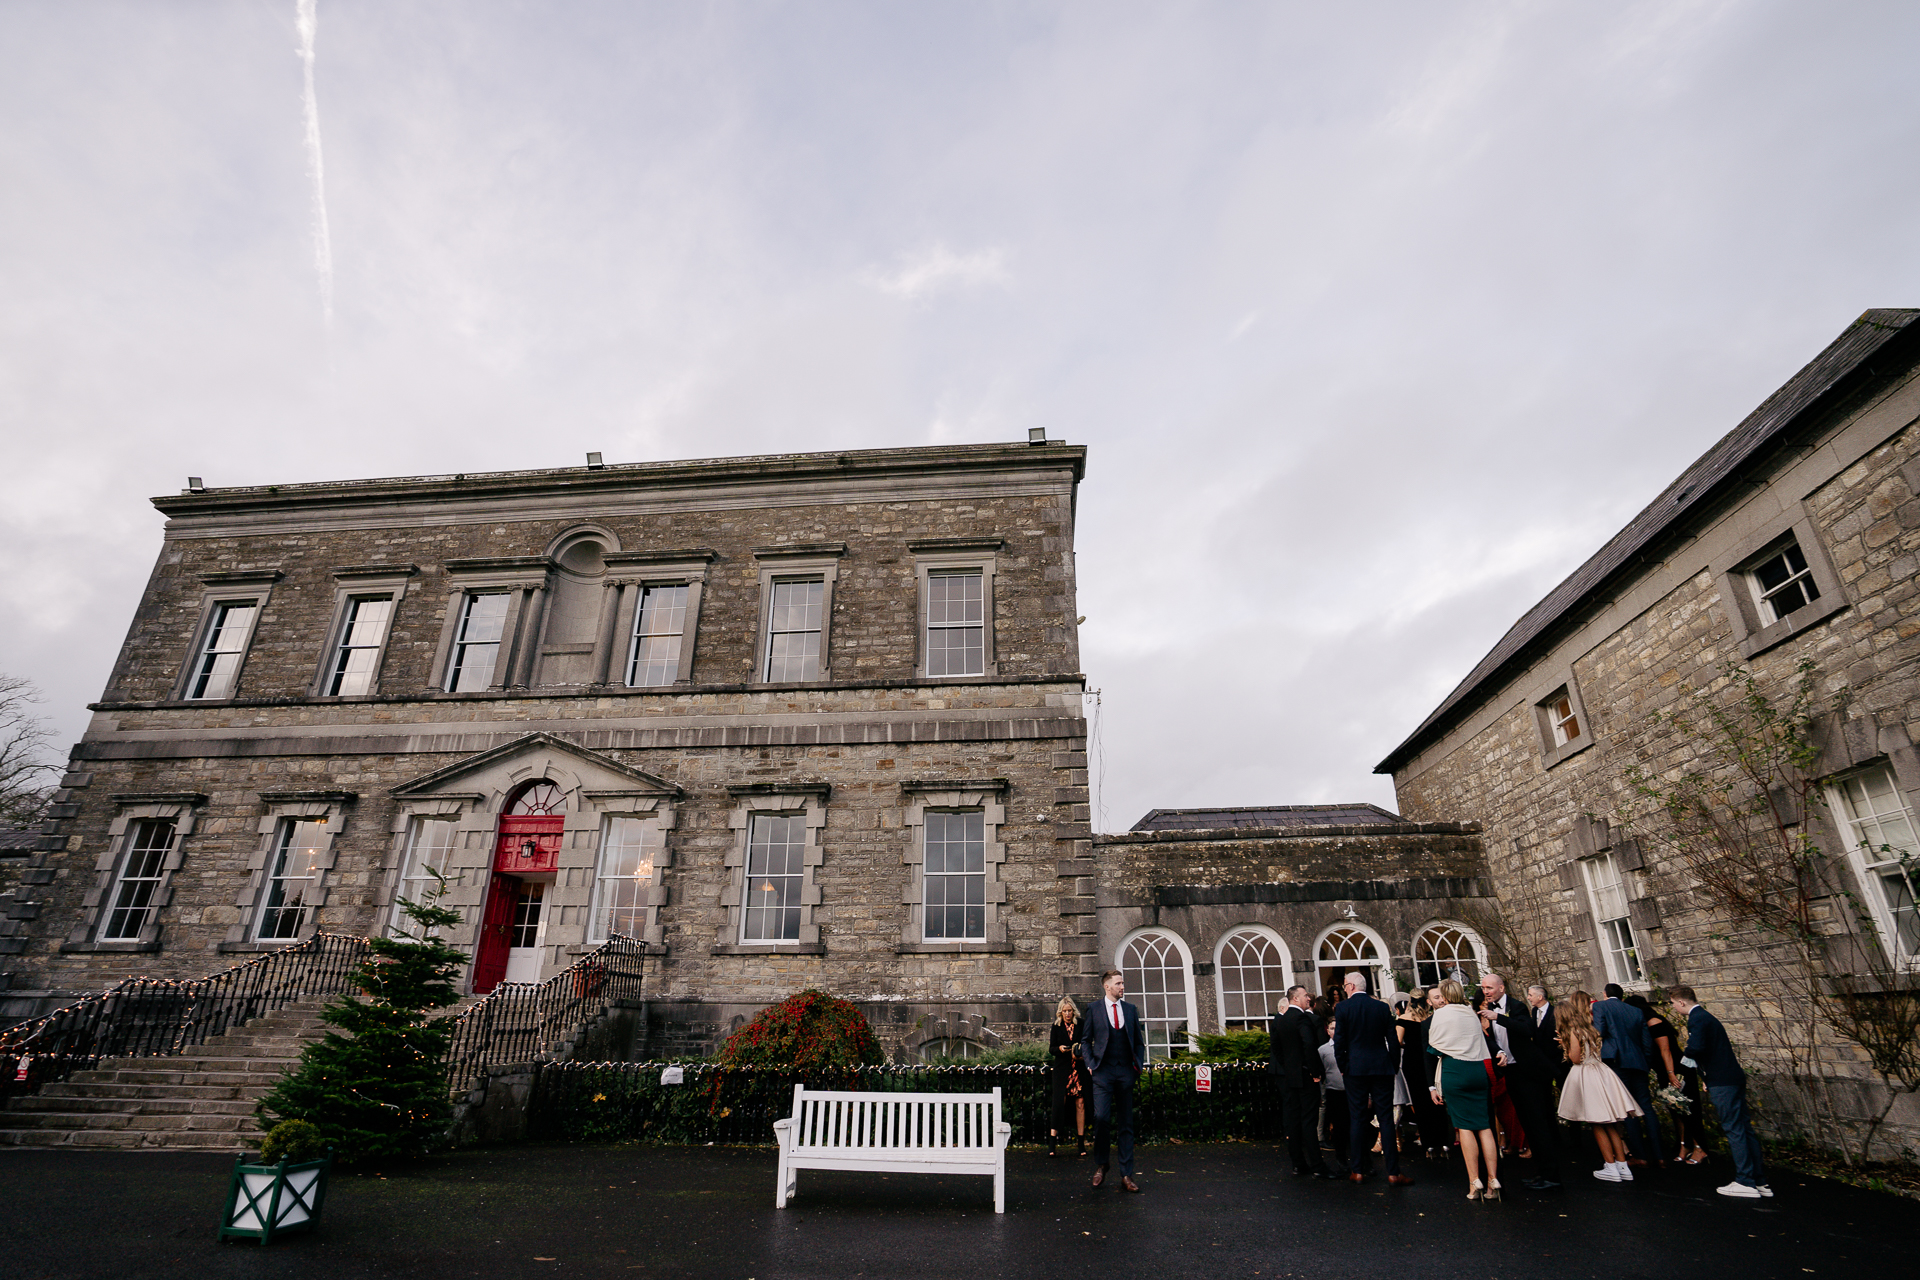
(792, 721)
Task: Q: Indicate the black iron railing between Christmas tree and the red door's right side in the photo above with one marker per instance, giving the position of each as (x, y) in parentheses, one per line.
(525, 1022)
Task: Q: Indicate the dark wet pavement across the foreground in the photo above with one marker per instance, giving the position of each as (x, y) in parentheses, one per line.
(1211, 1212)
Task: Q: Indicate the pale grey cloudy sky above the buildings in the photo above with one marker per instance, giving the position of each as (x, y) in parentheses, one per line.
(1376, 318)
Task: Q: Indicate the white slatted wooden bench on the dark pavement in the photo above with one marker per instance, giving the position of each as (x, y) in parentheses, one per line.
(894, 1133)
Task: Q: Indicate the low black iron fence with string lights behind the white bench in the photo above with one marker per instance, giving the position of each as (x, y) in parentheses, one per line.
(627, 1102)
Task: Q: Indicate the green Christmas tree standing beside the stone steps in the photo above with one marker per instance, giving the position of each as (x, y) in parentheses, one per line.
(375, 1087)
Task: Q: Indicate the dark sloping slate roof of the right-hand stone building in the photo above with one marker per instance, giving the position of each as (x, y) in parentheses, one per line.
(1833, 375)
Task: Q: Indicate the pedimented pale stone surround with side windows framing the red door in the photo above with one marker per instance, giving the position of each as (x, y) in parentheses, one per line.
(452, 817)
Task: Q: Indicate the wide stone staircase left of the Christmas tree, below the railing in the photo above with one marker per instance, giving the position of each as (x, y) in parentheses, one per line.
(197, 1102)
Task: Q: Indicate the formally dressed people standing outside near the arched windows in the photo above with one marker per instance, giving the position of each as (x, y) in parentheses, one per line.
(1468, 1068)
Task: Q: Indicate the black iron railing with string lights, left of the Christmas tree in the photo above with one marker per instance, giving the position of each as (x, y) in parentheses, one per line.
(162, 1018)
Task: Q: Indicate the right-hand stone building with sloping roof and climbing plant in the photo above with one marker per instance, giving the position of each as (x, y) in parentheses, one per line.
(1792, 540)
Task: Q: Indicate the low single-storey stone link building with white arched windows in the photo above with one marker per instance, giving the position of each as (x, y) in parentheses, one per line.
(1214, 914)
